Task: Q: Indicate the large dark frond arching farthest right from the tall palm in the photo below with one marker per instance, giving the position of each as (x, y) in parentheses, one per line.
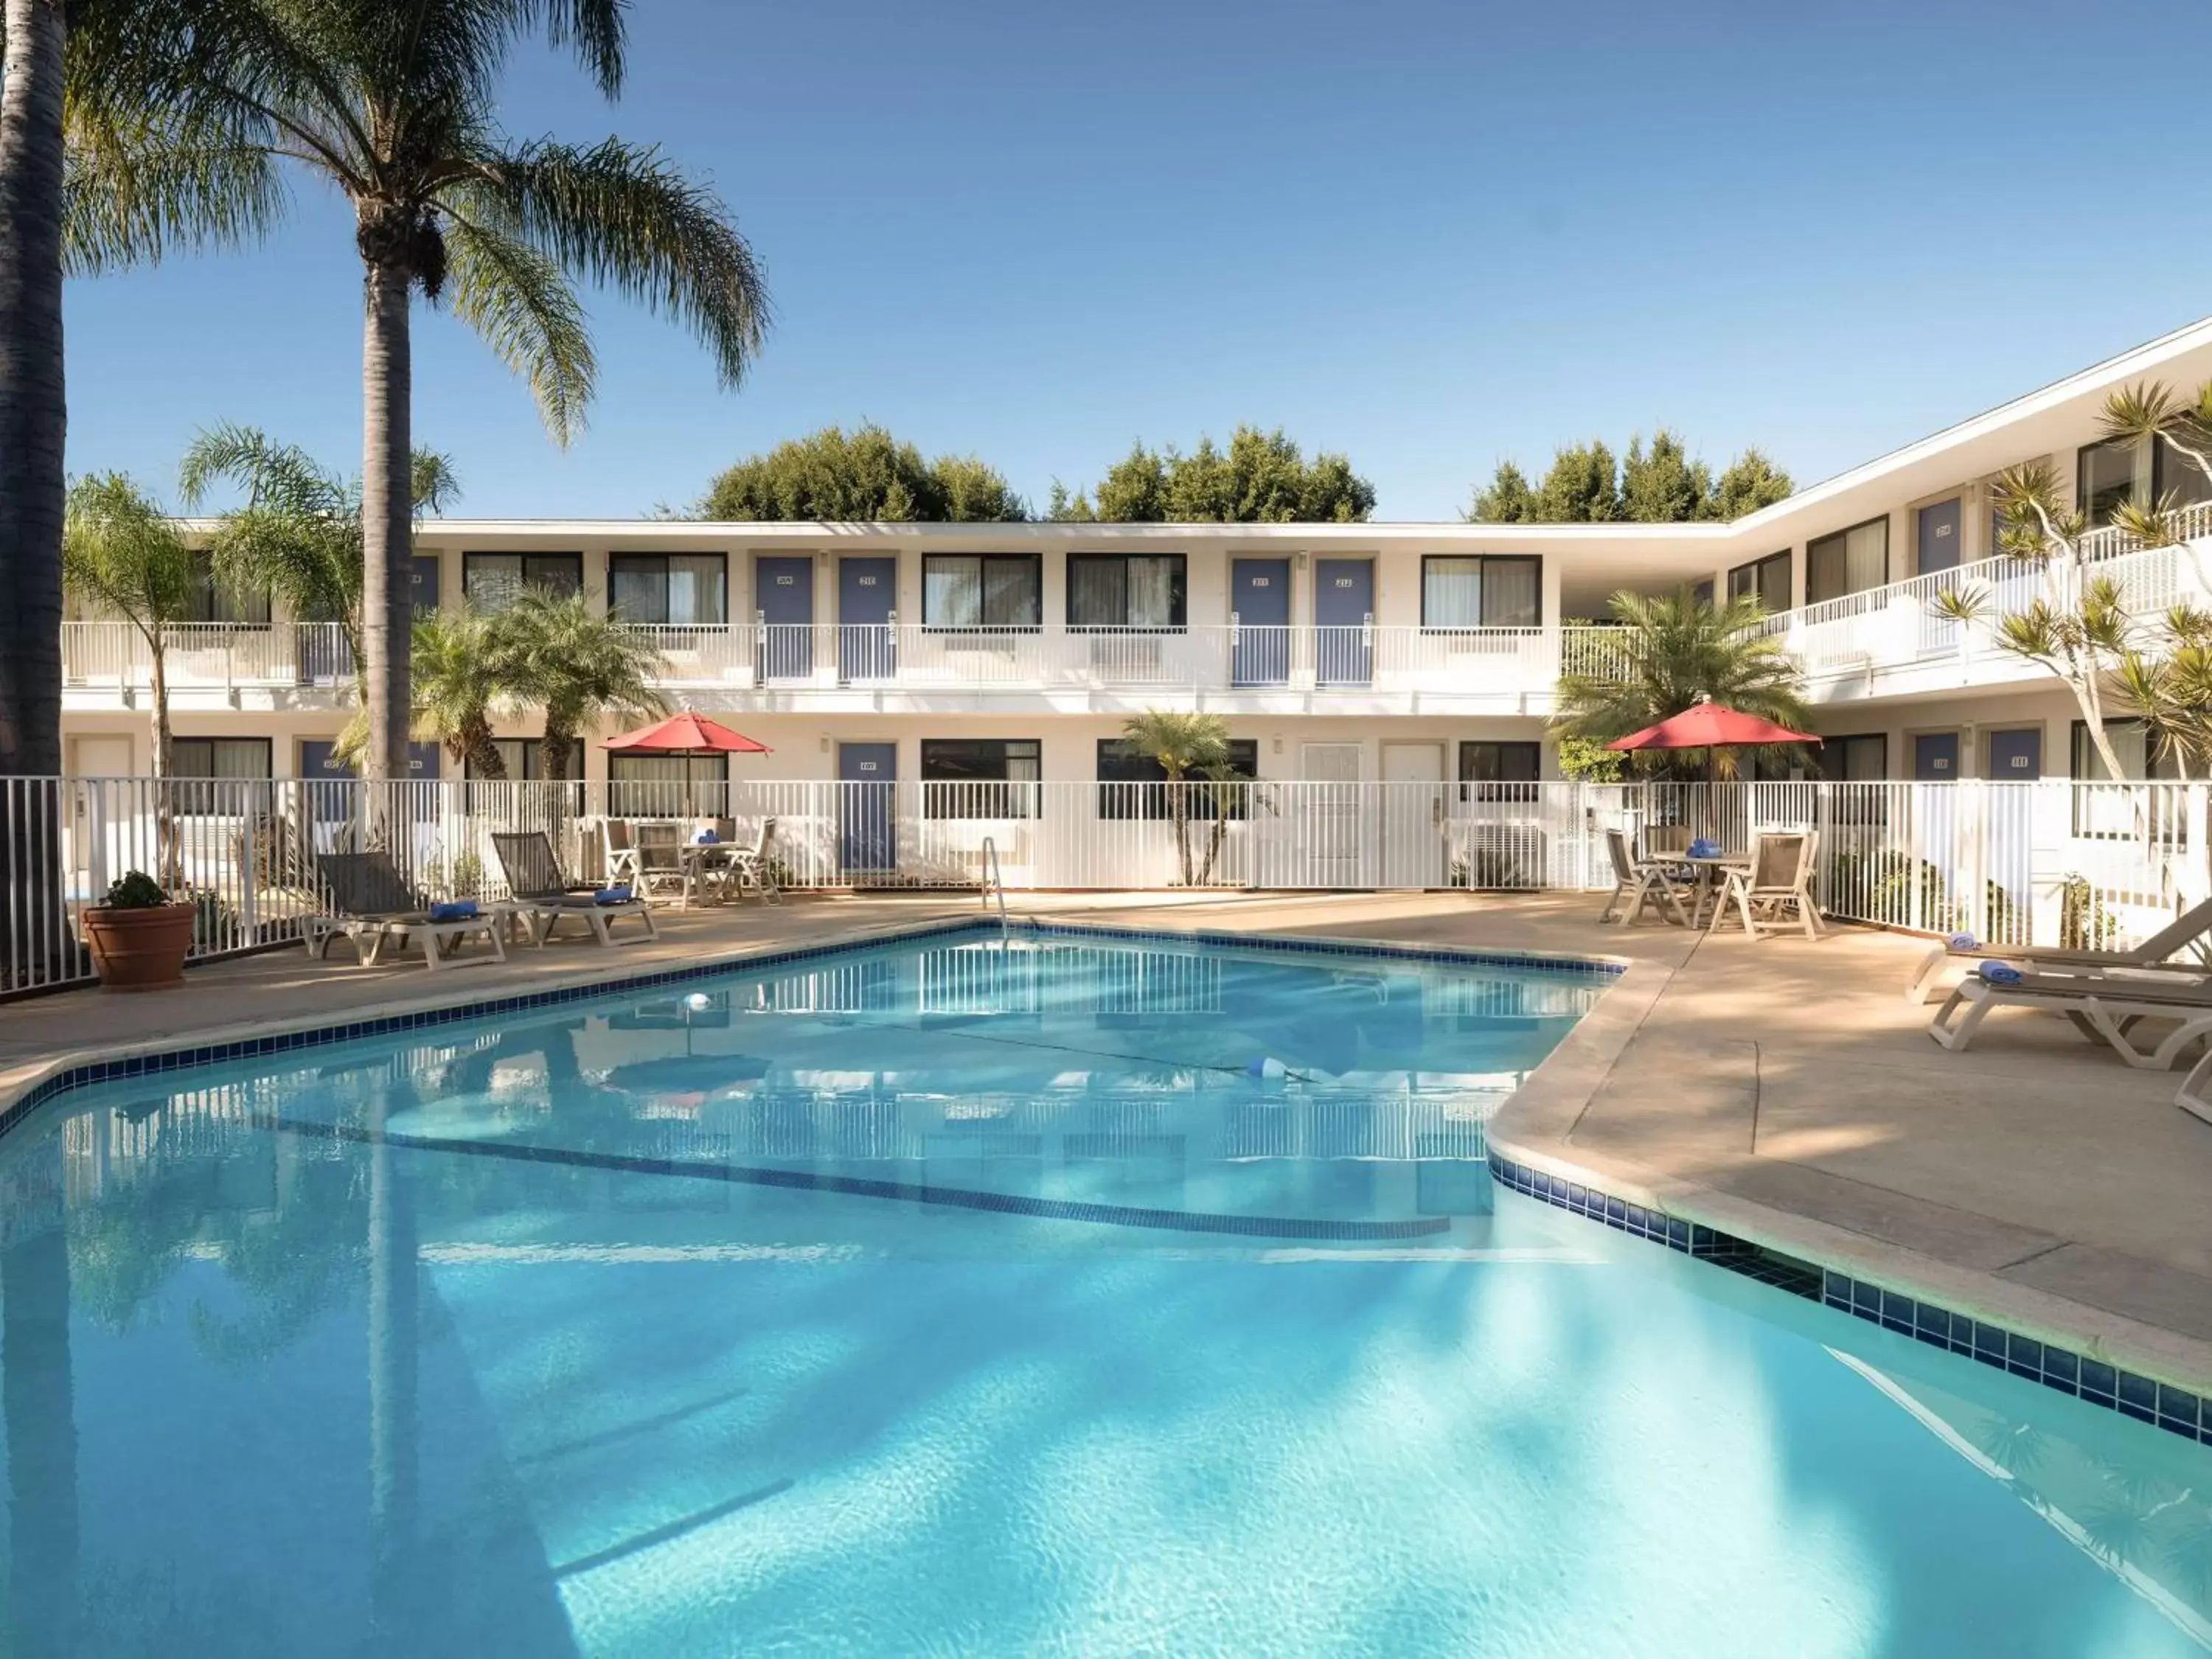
(627, 218)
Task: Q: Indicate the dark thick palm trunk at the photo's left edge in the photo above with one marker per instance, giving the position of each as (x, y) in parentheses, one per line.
(34, 417)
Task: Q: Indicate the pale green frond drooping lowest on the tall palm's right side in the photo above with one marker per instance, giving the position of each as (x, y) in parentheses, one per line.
(523, 309)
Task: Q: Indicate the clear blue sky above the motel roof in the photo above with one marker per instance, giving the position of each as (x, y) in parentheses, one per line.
(1432, 236)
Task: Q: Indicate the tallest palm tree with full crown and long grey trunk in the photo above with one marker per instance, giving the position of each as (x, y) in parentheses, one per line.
(397, 107)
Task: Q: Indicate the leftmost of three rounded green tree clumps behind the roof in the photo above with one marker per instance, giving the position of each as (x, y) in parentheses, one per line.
(866, 477)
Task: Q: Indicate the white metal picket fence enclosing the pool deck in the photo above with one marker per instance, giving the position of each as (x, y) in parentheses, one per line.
(2083, 864)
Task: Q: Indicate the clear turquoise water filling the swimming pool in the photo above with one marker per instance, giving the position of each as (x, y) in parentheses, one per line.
(963, 1300)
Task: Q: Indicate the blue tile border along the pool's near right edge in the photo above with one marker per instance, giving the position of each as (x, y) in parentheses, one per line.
(1976, 1339)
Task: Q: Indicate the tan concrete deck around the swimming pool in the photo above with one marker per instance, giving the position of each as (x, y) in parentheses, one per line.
(1780, 1092)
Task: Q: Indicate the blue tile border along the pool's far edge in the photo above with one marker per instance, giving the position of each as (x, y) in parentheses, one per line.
(103, 1072)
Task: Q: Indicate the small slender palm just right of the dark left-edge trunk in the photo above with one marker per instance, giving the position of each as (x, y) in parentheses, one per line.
(127, 559)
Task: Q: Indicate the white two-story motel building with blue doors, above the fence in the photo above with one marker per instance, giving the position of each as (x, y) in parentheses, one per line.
(1333, 651)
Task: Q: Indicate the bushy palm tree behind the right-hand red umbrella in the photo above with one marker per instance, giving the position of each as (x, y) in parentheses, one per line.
(1678, 651)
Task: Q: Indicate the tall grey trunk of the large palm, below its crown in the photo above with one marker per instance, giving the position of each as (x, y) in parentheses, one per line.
(386, 519)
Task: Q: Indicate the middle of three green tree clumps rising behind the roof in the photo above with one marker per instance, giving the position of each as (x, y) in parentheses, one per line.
(1260, 479)
